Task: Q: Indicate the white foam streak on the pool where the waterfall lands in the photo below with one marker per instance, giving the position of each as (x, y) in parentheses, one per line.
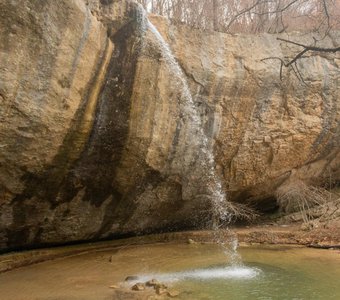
(232, 272)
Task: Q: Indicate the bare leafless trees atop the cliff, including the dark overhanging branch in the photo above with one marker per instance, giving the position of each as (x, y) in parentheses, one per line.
(318, 17)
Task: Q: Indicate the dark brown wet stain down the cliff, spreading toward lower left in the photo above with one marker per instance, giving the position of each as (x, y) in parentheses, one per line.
(91, 164)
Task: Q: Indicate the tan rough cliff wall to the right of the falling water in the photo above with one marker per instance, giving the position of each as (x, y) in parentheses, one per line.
(268, 131)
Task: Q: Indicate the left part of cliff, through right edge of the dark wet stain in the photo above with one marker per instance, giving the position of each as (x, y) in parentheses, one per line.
(60, 68)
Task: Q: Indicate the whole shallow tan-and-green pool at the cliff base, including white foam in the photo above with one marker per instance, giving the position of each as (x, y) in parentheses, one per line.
(198, 271)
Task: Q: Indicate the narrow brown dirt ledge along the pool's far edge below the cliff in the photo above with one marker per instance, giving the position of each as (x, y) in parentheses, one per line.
(294, 234)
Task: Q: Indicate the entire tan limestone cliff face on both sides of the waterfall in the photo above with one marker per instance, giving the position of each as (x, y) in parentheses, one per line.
(98, 136)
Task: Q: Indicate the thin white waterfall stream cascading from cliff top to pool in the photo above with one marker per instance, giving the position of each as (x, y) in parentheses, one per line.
(200, 148)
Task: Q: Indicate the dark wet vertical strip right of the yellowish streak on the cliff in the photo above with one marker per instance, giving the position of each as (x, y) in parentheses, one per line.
(97, 166)
